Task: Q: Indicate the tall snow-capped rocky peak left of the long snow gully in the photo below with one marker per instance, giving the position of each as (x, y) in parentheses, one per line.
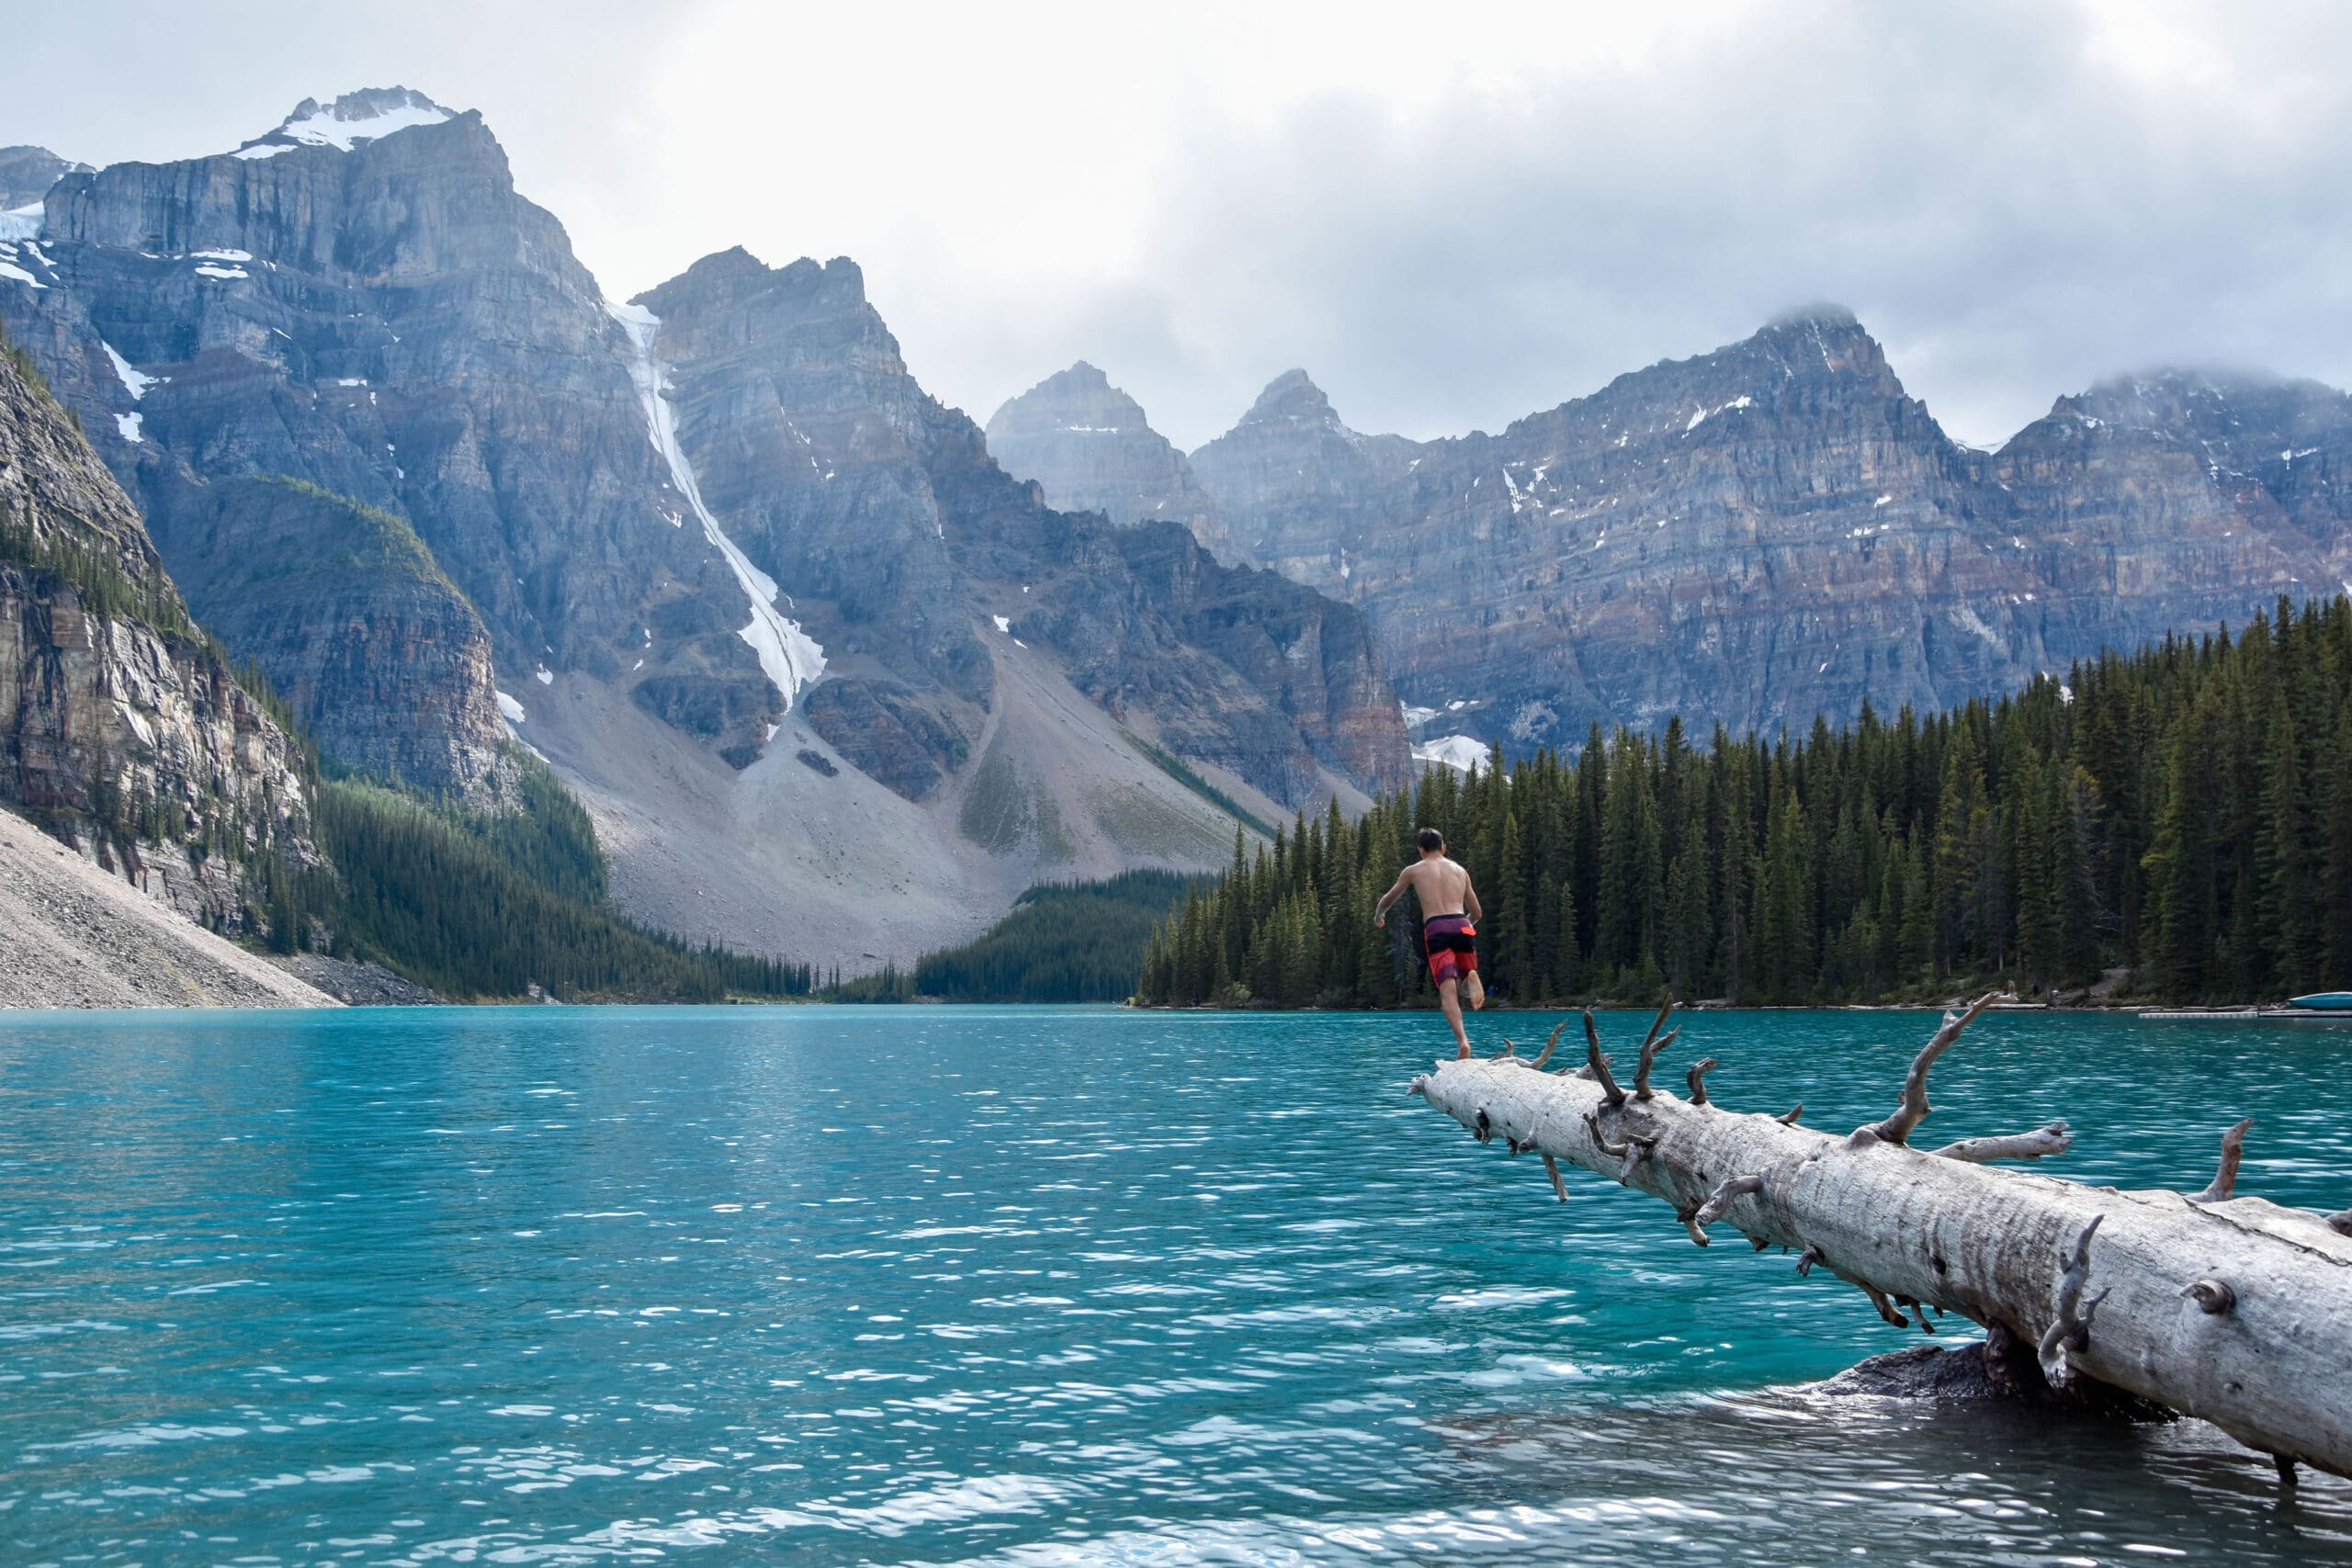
(363, 304)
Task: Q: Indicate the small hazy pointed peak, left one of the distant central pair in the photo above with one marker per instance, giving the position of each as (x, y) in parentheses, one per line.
(1093, 450)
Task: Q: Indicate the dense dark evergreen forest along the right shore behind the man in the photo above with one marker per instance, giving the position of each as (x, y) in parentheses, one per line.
(2177, 815)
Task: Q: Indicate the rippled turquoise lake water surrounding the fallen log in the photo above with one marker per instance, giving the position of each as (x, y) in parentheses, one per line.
(1022, 1287)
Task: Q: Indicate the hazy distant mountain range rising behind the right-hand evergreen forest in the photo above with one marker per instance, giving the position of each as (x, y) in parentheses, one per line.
(1753, 537)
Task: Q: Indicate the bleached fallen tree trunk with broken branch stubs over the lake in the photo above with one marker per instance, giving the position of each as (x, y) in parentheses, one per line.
(2214, 1306)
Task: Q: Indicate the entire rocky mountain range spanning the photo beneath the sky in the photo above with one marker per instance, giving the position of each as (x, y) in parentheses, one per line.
(836, 674)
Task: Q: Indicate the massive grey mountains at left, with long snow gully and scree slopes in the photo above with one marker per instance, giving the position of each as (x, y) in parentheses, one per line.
(829, 681)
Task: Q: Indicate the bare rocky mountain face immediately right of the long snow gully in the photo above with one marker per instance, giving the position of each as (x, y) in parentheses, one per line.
(902, 540)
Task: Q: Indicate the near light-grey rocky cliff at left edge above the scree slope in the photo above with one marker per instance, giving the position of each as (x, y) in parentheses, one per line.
(119, 728)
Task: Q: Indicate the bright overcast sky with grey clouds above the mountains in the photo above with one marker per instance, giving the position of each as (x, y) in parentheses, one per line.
(1450, 215)
